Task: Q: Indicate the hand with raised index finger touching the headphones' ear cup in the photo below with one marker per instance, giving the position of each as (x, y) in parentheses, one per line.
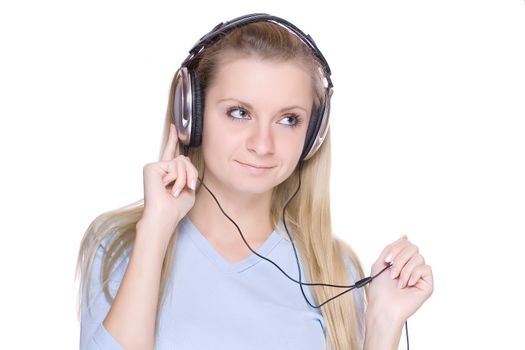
(169, 189)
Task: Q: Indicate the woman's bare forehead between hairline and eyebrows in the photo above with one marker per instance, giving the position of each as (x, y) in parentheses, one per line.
(262, 80)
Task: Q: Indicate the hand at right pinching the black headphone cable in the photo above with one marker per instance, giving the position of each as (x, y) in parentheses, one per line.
(400, 290)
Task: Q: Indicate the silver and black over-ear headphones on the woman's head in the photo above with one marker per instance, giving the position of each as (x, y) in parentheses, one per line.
(188, 99)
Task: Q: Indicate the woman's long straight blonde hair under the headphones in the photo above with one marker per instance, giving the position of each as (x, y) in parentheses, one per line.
(307, 216)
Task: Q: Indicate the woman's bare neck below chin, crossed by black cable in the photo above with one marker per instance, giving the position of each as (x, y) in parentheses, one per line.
(251, 212)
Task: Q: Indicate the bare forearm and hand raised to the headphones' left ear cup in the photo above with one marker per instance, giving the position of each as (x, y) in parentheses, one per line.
(131, 319)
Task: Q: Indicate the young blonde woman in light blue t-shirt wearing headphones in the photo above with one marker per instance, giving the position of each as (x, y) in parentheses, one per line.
(200, 262)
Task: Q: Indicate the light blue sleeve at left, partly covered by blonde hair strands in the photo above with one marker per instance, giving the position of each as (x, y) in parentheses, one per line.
(94, 308)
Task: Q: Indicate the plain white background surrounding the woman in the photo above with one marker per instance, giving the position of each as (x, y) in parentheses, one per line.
(427, 124)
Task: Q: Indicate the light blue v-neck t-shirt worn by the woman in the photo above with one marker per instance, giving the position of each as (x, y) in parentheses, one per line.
(214, 304)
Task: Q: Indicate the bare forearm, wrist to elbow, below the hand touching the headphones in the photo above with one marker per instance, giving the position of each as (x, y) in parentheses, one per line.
(131, 319)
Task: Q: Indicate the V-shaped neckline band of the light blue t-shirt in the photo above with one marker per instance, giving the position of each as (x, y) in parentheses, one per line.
(218, 260)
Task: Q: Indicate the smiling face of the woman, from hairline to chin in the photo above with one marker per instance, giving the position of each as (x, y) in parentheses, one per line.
(255, 120)
